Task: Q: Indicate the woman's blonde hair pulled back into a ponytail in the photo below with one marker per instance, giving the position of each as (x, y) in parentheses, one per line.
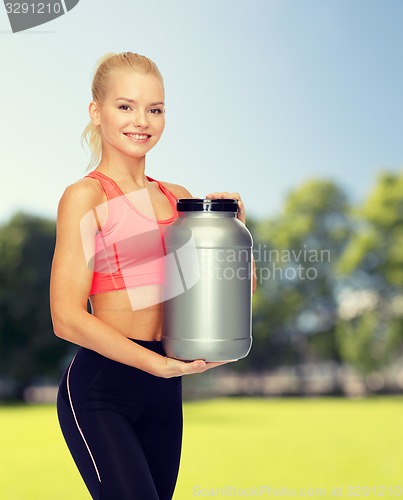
(108, 63)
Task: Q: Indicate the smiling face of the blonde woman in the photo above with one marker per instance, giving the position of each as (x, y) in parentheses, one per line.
(132, 116)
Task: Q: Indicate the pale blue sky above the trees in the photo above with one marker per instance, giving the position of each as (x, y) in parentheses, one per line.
(260, 95)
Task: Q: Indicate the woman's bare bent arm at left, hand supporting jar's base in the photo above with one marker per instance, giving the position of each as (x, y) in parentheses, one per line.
(70, 285)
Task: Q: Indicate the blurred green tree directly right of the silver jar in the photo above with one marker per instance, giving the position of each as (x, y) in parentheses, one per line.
(295, 308)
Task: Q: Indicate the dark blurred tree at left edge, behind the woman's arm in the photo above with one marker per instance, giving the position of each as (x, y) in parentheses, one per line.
(28, 348)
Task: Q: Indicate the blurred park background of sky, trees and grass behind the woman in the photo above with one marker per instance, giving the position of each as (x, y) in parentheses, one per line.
(297, 105)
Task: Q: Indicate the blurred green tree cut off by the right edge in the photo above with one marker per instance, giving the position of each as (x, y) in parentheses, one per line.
(370, 334)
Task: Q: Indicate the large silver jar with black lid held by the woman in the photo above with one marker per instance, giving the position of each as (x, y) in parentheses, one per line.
(208, 282)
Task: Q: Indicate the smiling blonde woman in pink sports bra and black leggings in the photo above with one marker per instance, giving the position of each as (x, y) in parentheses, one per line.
(120, 400)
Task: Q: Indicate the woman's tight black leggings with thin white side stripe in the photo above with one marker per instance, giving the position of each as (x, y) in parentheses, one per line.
(122, 425)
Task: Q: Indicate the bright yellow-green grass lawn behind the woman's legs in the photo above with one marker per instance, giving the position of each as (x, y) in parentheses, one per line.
(261, 448)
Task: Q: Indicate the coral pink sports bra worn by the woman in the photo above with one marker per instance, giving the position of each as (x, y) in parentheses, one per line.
(129, 249)
